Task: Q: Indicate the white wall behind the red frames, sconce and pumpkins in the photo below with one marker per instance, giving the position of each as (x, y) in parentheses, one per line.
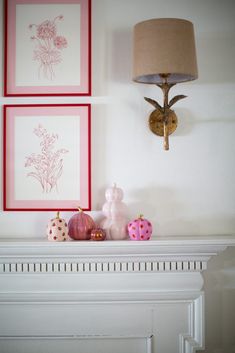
(189, 189)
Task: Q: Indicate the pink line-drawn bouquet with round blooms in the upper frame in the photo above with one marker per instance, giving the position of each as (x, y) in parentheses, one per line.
(48, 46)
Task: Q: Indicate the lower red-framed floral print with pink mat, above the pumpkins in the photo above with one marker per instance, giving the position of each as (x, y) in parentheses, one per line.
(46, 157)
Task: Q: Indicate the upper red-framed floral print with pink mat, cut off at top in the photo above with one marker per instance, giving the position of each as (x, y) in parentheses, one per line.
(47, 48)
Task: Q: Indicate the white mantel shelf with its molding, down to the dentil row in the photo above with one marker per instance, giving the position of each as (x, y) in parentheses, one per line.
(167, 248)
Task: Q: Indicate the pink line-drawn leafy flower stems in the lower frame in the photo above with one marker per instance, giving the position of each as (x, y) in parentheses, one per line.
(47, 166)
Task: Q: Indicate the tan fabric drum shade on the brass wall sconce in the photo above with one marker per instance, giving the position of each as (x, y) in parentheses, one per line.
(164, 46)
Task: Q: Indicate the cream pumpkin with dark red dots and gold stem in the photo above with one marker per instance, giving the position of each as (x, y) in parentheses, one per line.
(57, 229)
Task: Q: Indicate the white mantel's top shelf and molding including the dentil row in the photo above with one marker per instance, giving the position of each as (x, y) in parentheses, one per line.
(165, 254)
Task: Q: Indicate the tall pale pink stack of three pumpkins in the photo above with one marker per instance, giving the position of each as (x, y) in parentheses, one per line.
(115, 211)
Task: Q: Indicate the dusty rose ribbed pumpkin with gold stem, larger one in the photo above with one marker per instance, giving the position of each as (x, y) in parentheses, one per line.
(80, 226)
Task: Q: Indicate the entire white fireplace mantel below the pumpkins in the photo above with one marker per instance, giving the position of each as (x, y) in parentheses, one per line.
(136, 289)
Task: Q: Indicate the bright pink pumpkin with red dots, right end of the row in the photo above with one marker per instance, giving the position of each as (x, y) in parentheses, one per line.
(140, 229)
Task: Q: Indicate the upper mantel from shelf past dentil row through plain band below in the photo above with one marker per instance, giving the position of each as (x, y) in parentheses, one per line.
(160, 268)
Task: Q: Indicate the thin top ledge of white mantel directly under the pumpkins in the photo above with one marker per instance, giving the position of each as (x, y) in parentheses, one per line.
(160, 245)
